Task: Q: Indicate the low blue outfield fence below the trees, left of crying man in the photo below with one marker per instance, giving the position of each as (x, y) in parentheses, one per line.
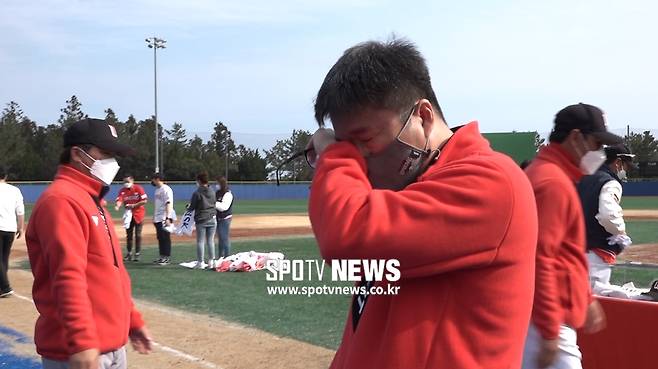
(183, 191)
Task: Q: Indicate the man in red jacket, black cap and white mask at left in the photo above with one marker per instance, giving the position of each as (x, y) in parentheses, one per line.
(81, 287)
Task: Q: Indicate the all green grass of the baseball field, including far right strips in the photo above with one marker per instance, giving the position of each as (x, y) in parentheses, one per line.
(319, 320)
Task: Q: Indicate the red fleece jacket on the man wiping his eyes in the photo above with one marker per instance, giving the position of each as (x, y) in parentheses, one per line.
(465, 235)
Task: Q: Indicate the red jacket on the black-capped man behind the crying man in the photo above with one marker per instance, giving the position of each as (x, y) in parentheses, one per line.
(562, 291)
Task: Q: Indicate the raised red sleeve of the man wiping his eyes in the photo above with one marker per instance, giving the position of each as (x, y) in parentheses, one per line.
(454, 218)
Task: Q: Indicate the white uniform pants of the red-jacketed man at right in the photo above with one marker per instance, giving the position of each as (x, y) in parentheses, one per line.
(568, 356)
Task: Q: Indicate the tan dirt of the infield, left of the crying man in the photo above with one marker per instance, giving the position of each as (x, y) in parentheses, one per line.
(188, 340)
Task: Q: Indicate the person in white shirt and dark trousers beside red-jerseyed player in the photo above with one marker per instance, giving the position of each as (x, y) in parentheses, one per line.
(163, 217)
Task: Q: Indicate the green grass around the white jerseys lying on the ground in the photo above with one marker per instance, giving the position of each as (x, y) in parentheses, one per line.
(242, 297)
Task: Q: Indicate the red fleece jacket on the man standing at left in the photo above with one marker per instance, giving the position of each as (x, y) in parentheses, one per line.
(81, 288)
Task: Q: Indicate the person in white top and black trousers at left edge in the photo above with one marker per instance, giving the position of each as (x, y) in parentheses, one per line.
(12, 222)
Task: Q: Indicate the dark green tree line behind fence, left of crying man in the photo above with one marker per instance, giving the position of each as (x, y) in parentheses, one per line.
(31, 151)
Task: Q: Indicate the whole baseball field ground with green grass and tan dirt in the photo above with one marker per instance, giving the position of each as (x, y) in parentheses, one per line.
(202, 319)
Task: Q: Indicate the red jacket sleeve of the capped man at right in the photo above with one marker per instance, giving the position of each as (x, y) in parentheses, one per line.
(551, 202)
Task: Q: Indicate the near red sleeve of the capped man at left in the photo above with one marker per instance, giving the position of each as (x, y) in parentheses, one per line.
(65, 254)
